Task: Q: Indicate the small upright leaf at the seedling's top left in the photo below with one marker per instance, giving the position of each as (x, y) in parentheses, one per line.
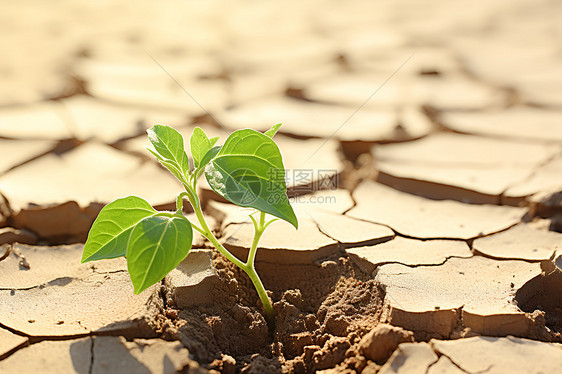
(168, 143)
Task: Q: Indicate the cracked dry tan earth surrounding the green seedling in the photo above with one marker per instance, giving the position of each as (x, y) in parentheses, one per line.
(429, 220)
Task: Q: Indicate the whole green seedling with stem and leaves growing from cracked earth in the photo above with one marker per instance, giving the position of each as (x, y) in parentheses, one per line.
(247, 170)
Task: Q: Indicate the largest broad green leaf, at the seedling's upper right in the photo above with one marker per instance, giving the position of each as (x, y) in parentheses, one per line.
(248, 171)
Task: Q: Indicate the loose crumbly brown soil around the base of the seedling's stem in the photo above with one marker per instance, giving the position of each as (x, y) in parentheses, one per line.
(322, 312)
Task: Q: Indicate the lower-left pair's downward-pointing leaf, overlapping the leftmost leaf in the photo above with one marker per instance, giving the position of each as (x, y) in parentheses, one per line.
(156, 246)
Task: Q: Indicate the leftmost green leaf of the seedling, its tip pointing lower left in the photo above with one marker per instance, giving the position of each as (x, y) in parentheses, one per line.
(110, 232)
